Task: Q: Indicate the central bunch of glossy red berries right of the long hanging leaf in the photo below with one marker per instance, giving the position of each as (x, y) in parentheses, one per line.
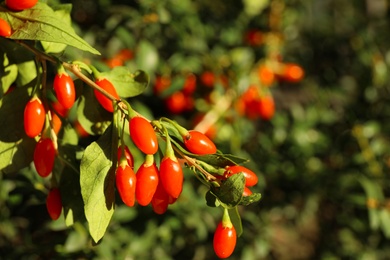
(162, 186)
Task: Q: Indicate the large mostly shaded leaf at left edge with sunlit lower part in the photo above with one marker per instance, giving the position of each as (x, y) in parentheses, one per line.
(16, 149)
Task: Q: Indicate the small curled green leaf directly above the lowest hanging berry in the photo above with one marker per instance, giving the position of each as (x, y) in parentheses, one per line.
(230, 191)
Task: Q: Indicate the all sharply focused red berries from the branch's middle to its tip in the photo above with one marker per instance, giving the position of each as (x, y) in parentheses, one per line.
(162, 186)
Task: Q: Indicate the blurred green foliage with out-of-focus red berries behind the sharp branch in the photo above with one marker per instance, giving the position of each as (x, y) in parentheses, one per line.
(322, 159)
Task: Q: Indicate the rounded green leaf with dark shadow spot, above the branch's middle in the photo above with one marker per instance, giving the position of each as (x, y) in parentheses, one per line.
(126, 83)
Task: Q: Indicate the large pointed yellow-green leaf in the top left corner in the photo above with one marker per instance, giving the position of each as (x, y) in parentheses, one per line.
(42, 23)
